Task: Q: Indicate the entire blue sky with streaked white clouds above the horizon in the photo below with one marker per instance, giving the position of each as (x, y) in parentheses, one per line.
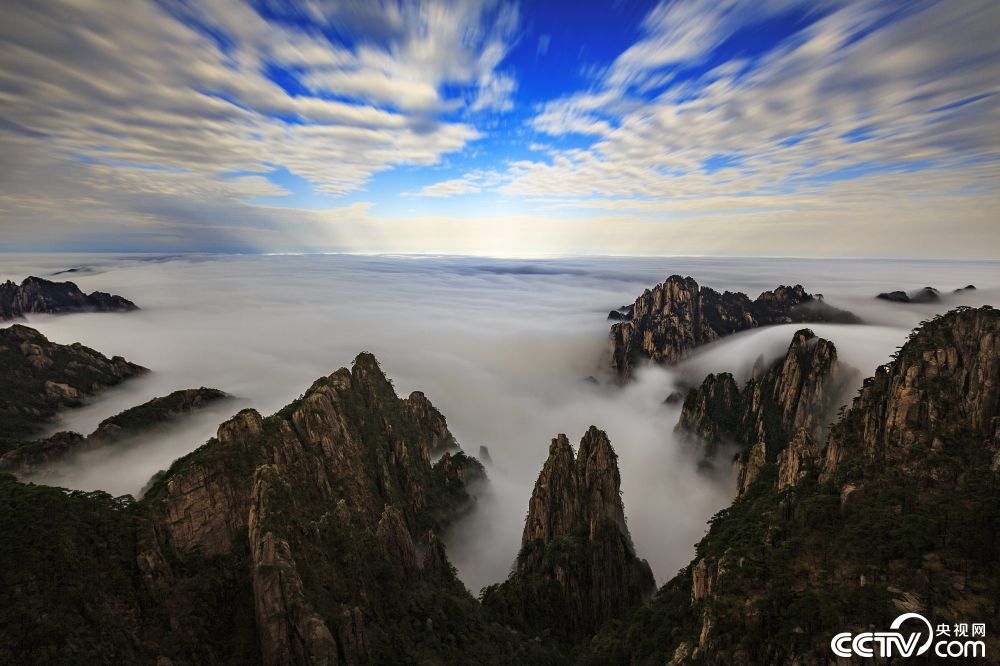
(490, 127)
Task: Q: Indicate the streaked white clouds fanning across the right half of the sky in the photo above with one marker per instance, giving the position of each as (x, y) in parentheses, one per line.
(847, 73)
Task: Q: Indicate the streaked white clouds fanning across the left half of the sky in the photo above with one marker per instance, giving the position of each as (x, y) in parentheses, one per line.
(145, 84)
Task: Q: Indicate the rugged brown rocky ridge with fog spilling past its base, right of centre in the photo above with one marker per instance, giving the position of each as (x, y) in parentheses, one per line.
(668, 321)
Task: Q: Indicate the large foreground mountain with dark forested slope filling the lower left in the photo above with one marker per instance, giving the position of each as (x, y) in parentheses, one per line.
(307, 537)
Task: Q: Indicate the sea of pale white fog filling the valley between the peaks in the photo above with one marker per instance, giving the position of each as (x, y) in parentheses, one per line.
(502, 347)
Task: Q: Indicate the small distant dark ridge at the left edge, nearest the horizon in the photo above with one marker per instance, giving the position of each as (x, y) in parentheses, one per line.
(36, 296)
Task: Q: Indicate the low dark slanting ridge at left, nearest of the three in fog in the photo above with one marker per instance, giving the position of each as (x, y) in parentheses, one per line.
(28, 457)
